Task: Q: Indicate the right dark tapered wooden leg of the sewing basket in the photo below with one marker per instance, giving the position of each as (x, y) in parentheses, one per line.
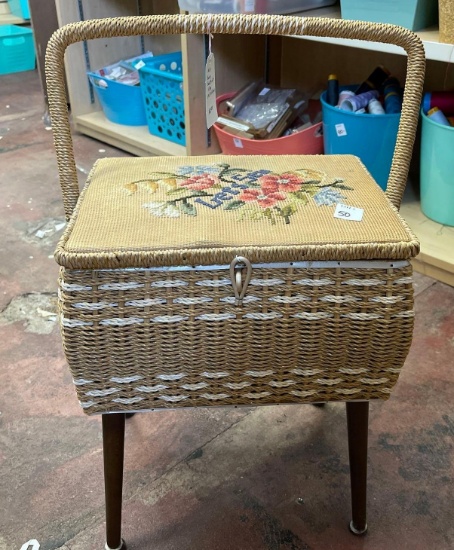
(358, 424)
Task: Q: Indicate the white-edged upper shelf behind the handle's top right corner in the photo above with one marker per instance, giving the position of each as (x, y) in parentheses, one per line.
(435, 50)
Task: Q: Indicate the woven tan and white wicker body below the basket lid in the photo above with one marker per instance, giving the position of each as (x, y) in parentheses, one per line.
(142, 339)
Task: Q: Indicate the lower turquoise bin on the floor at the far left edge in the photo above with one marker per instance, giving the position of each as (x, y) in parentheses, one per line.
(17, 49)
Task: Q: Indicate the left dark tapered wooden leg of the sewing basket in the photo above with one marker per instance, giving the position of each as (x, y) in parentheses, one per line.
(113, 434)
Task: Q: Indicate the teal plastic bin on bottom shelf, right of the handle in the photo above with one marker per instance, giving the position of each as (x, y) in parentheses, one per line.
(437, 171)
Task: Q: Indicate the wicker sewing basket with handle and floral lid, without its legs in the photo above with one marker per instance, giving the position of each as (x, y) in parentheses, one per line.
(198, 281)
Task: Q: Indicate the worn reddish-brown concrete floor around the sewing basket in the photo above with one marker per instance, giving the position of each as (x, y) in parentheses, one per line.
(272, 478)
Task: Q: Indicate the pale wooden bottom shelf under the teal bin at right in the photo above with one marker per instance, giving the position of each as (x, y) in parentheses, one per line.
(436, 258)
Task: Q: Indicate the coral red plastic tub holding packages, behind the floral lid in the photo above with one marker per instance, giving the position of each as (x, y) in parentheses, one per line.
(306, 142)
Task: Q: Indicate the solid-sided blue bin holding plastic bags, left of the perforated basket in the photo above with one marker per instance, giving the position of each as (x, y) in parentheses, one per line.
(121, 103)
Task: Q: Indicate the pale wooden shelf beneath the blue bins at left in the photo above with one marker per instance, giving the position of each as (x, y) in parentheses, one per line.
(134, 139)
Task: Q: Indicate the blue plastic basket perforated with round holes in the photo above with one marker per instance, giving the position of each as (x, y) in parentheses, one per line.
(162, 89)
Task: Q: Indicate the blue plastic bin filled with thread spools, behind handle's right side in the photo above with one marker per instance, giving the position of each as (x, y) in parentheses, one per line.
(370, 137)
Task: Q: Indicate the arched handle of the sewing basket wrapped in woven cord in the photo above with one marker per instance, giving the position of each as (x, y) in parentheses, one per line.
(231, 24)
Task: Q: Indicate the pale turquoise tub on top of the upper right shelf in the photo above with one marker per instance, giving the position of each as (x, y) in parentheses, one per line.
(412, 14)
